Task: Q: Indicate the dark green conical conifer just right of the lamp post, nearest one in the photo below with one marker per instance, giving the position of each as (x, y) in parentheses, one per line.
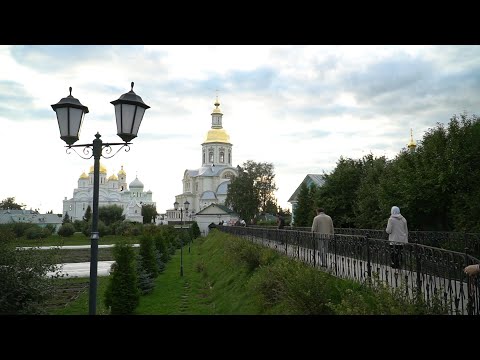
(122, 295)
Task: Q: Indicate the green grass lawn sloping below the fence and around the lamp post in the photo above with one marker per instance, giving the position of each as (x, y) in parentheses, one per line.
(209, 286)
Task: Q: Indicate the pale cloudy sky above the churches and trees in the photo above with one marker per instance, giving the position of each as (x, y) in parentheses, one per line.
(298, 107)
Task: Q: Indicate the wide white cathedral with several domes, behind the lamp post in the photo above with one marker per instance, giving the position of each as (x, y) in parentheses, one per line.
(112, 191)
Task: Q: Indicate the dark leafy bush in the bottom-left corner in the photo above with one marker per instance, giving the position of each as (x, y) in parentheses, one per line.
(24, 284)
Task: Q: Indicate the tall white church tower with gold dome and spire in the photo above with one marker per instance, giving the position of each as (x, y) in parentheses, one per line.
(208, 184)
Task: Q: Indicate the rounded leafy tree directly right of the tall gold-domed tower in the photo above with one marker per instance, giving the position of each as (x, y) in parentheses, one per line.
(252, 190)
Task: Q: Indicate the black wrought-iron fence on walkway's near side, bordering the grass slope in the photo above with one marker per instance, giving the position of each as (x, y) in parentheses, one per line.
(432, 273)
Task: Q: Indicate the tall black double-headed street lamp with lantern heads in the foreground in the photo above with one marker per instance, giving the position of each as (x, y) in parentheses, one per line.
(129, 111)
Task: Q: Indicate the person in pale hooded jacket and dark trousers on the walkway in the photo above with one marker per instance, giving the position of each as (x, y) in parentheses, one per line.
(397, 231)
